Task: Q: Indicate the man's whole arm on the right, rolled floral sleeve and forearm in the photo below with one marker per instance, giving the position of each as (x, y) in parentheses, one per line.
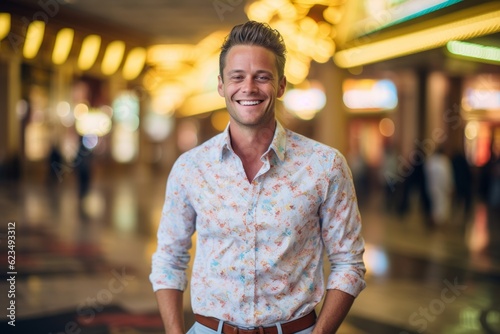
(344, 244)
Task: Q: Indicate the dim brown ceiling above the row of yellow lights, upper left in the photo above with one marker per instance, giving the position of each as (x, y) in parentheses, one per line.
(162, 21)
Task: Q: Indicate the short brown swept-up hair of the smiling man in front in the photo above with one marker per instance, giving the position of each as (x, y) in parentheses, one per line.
(258, 34)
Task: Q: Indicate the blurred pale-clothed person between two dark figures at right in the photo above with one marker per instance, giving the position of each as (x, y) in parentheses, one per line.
(439, 178)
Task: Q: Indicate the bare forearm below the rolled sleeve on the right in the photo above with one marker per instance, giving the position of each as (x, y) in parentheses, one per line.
(333, 312)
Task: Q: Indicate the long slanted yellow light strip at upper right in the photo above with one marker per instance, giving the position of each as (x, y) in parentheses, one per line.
(422, 39)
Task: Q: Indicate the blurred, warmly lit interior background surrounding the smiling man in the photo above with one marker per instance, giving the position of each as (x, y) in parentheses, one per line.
(99, 97)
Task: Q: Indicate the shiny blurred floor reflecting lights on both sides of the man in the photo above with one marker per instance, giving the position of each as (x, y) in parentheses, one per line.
(81, 266)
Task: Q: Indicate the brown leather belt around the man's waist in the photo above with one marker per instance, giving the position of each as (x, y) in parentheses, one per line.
(290, 327)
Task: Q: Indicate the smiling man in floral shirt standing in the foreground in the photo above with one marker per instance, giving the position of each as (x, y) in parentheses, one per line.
(265, 202)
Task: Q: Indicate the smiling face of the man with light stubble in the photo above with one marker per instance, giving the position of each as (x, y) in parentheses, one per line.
(250, 85)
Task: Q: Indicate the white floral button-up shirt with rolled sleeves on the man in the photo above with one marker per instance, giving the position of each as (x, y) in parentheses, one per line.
(259, 244)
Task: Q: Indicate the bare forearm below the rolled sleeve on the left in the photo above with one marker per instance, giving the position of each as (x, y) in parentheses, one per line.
(171, 310)
